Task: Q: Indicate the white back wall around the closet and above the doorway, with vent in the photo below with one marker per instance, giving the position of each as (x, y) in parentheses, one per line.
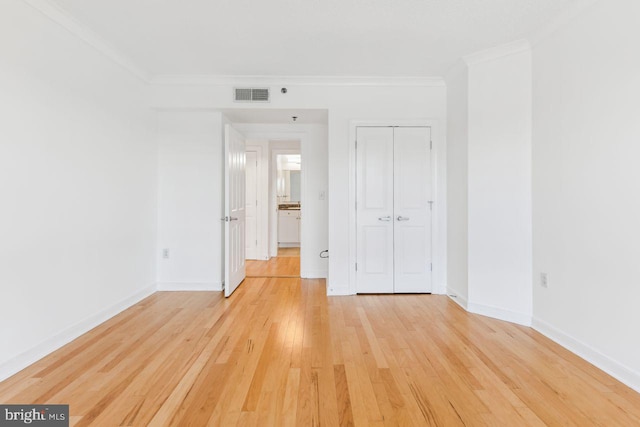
(345, 104)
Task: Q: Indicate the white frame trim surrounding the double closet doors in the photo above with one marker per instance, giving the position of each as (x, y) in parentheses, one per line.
(439, 258)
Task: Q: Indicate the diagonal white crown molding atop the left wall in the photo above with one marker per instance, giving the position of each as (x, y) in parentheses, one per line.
(58, 15)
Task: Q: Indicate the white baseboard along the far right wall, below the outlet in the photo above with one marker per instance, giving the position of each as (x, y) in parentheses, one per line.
(612, 367)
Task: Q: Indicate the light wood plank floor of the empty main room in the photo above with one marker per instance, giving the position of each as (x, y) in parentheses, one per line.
(279, 352)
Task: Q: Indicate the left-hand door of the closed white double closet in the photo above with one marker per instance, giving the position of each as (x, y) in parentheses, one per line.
(374, 217)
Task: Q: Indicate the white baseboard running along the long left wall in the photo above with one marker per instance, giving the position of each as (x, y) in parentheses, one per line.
(50, 345)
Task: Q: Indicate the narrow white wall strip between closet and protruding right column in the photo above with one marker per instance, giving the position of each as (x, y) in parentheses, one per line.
(457, 183)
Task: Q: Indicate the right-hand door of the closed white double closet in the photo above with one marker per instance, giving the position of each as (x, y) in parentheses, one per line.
(412, 211)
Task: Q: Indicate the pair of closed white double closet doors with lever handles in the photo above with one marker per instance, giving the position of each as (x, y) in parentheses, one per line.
(393, 212)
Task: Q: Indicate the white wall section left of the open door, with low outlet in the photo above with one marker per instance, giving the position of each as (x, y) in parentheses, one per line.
(190, 180)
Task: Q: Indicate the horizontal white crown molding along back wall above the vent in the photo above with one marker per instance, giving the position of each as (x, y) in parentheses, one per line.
(214, 80)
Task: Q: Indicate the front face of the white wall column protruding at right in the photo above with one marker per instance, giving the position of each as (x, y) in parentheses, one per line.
(499, 185)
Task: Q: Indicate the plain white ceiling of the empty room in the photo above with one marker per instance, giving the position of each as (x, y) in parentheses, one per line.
(308, 37)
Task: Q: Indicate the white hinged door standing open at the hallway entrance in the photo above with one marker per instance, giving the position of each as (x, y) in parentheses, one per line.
(234, 209)
